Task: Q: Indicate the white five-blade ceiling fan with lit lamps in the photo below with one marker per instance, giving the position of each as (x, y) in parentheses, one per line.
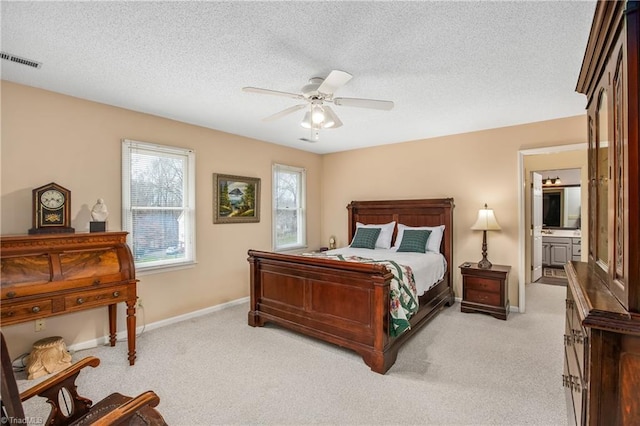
(317, 93)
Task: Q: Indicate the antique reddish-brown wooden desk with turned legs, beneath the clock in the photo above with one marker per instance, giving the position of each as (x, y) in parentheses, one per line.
(54, 274)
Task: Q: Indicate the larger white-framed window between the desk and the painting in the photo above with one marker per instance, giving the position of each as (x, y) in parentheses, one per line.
(158, 204)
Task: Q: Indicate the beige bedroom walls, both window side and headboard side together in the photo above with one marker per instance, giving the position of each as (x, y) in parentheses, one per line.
(76, 143)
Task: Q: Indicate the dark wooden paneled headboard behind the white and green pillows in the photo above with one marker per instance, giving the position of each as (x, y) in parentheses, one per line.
(427, 212)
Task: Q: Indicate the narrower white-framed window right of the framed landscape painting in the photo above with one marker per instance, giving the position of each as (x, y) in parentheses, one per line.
(289, 217)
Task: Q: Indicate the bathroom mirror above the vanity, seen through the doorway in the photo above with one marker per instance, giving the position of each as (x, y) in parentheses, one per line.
(561, 207)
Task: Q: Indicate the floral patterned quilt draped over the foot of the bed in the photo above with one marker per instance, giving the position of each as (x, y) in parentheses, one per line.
(403, 296)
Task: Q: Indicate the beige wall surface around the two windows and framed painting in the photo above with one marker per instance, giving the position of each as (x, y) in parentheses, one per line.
(76, 143)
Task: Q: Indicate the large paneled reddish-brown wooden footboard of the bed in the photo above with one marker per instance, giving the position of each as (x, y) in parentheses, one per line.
(344, 303)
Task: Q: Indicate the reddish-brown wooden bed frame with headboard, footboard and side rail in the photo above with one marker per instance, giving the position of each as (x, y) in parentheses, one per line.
(347, 303)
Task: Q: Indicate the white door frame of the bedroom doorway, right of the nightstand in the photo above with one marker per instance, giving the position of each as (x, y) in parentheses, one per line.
(521, 208)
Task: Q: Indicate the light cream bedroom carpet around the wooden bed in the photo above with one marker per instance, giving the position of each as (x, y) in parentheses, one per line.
(461, 369)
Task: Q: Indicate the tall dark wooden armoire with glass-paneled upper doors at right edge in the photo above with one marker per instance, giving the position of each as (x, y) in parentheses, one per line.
(602, 337)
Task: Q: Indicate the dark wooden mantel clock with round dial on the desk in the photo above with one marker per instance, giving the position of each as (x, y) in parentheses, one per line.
(51, 210)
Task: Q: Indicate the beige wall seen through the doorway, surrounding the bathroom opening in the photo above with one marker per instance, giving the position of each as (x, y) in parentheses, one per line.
(560, 160)
